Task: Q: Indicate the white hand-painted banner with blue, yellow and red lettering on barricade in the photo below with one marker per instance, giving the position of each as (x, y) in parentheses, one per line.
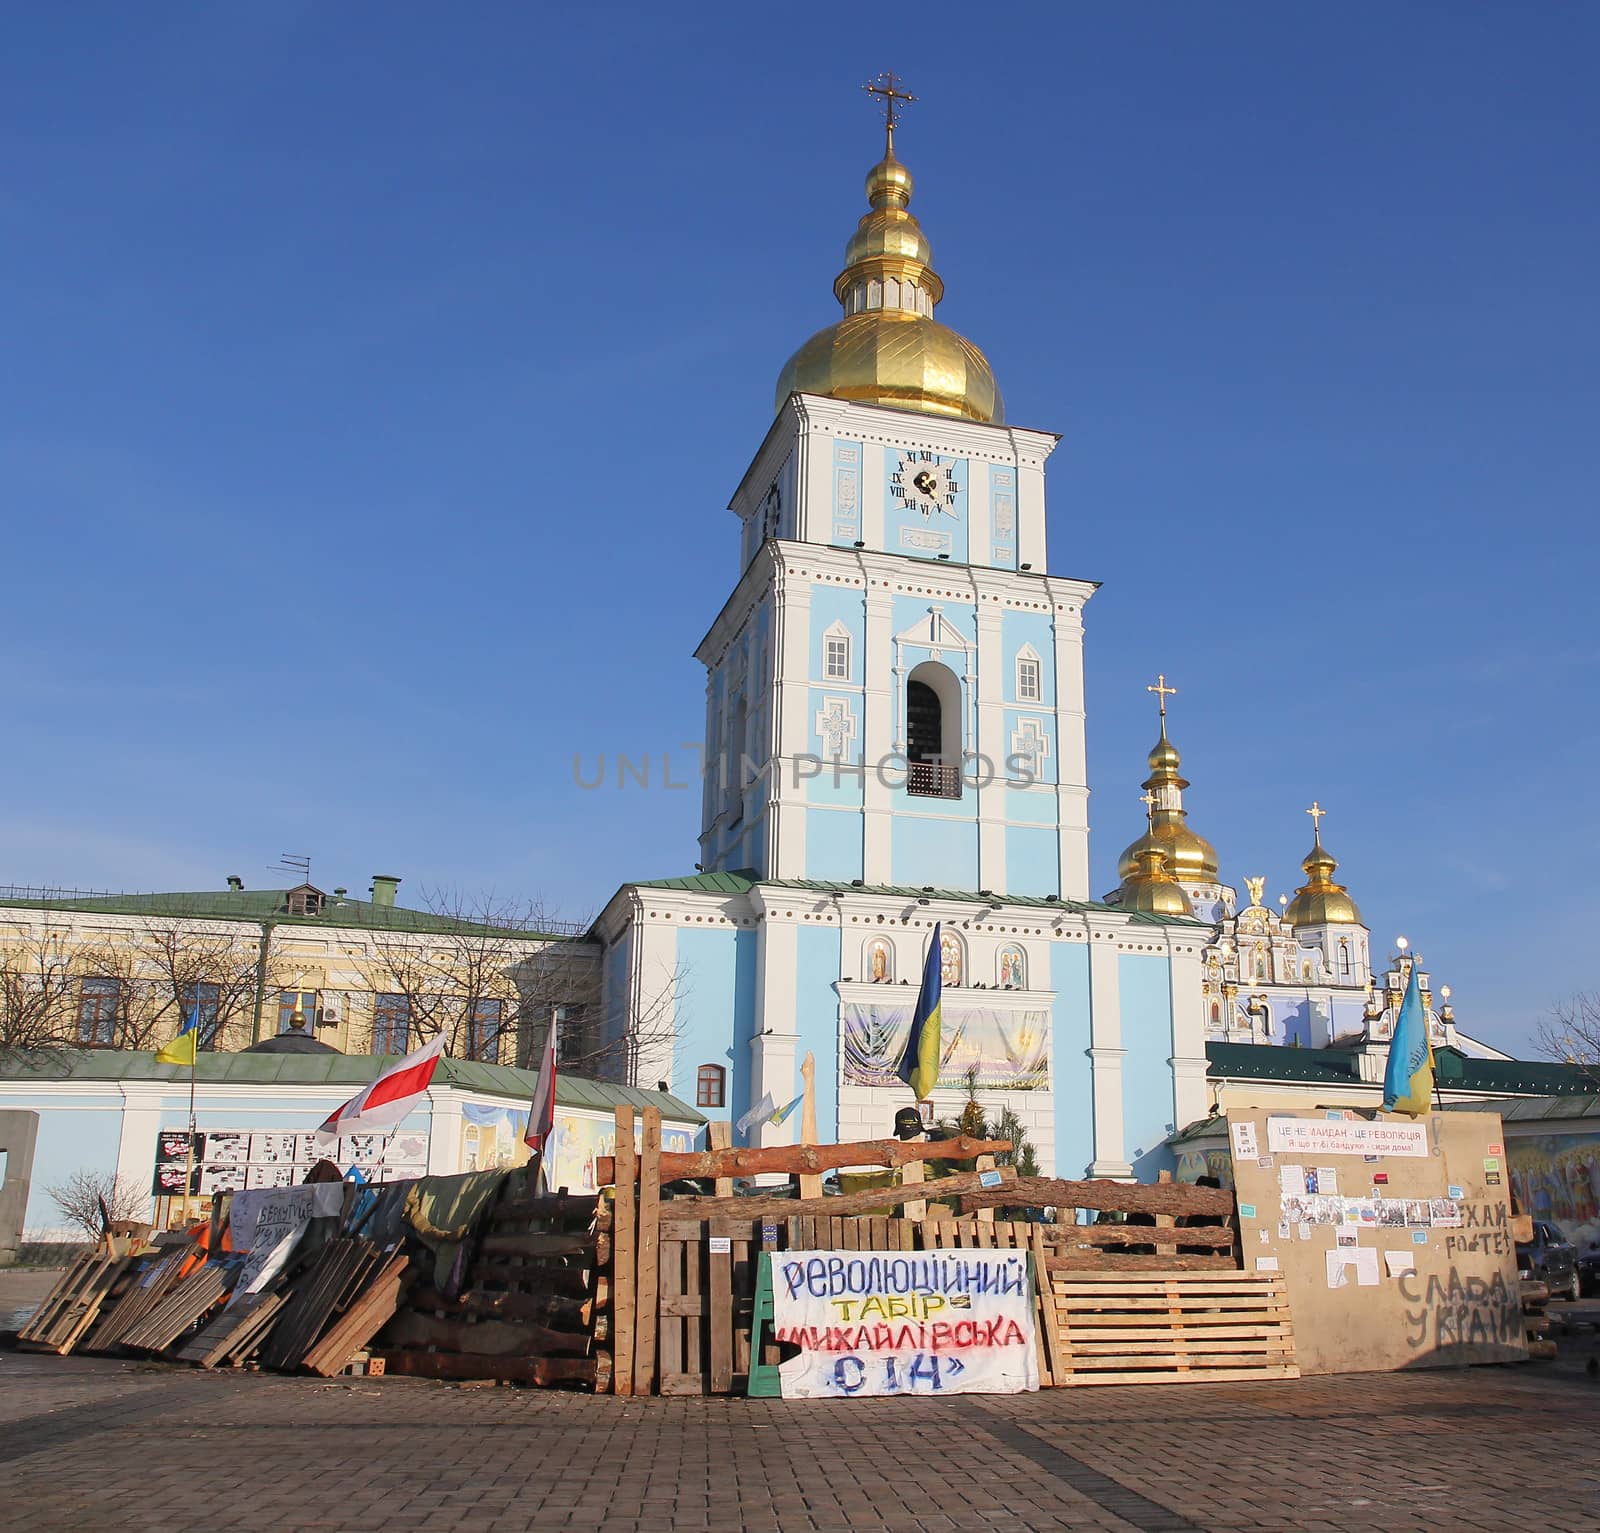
(892, 1324)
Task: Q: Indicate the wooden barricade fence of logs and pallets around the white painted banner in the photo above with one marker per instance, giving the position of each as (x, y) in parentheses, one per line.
(684, 1273)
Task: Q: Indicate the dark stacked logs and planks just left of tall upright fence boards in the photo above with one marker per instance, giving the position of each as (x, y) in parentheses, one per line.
(530, 1311)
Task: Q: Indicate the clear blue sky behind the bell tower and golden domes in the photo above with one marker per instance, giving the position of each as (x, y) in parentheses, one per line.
(374, 380)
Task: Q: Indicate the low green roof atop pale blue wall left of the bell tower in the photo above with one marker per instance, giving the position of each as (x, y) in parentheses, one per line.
(329, 1070)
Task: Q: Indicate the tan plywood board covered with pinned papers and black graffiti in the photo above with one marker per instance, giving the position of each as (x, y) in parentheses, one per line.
(1393, 1235)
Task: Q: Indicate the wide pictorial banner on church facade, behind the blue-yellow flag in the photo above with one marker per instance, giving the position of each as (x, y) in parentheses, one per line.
(1010, 1051)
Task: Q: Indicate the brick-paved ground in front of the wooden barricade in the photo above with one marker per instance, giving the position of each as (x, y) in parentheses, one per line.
(87, 1444)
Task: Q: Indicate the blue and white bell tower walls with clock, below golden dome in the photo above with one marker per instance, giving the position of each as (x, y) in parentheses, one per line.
(895, 742)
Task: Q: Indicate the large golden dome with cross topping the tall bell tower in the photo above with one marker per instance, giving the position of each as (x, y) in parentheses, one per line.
(889, 350)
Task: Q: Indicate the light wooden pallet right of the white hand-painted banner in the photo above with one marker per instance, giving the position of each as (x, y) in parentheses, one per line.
(1169, 1329)
